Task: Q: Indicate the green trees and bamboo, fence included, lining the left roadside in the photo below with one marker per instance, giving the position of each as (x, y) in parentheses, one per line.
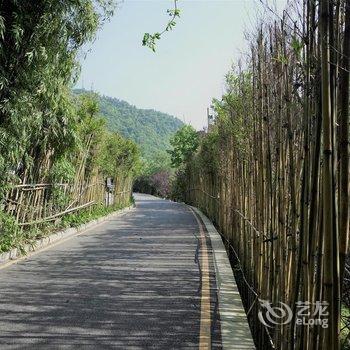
(55, 151)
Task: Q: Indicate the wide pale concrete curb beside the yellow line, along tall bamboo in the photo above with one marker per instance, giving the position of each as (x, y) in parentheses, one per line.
(235, 331)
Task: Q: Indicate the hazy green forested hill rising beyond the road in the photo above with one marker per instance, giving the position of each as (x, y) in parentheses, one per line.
(150, 129)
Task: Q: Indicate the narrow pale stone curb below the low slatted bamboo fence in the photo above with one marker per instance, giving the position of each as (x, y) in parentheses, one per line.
(15, 254)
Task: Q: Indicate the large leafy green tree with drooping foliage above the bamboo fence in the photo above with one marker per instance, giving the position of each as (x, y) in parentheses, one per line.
(39, 41)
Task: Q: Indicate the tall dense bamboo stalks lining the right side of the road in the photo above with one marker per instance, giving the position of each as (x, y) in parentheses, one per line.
(273, 171)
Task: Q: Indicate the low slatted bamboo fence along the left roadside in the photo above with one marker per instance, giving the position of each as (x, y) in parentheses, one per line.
(32, 204)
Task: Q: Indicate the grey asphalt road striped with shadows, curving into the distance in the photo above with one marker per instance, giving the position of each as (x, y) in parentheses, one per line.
(133, 282)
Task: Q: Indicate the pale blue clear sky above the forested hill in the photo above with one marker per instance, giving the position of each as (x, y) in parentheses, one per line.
(188, 68)
